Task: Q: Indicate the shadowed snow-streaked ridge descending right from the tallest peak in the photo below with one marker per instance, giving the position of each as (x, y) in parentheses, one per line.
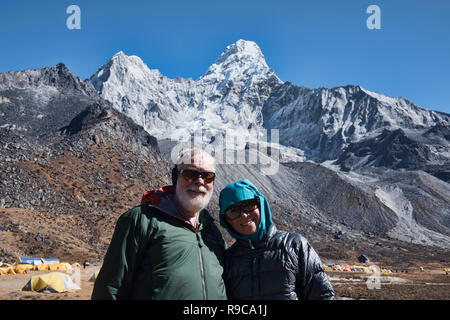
(323, 122)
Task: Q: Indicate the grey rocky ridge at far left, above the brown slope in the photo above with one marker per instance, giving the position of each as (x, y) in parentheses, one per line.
(35, 104)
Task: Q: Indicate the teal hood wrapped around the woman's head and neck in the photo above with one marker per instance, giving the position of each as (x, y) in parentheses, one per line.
(240, 191)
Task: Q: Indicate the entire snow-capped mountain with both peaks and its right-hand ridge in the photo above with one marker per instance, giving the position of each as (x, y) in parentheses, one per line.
(240, 92)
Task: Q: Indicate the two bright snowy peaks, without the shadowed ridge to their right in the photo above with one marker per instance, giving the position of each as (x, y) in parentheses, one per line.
(229, 95)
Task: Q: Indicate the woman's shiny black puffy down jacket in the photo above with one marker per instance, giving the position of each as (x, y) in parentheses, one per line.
(283, 266)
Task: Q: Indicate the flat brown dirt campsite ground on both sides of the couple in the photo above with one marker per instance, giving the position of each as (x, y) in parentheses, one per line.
(413, 285)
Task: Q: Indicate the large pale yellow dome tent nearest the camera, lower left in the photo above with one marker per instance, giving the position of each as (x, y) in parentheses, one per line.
(52, 282)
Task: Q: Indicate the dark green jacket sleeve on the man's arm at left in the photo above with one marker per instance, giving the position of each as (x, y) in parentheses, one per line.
(115, 279)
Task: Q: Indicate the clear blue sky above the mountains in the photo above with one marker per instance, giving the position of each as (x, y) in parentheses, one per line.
(319, 43)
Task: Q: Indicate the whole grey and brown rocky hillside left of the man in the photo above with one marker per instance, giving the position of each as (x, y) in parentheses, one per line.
(67, 156)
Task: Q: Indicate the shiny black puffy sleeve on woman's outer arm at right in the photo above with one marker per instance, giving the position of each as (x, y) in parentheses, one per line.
(314, 280)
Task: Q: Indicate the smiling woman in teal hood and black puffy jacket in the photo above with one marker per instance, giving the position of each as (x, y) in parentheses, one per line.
(266, 263)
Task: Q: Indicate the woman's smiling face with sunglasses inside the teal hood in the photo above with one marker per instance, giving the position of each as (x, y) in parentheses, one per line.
(247, 222)
